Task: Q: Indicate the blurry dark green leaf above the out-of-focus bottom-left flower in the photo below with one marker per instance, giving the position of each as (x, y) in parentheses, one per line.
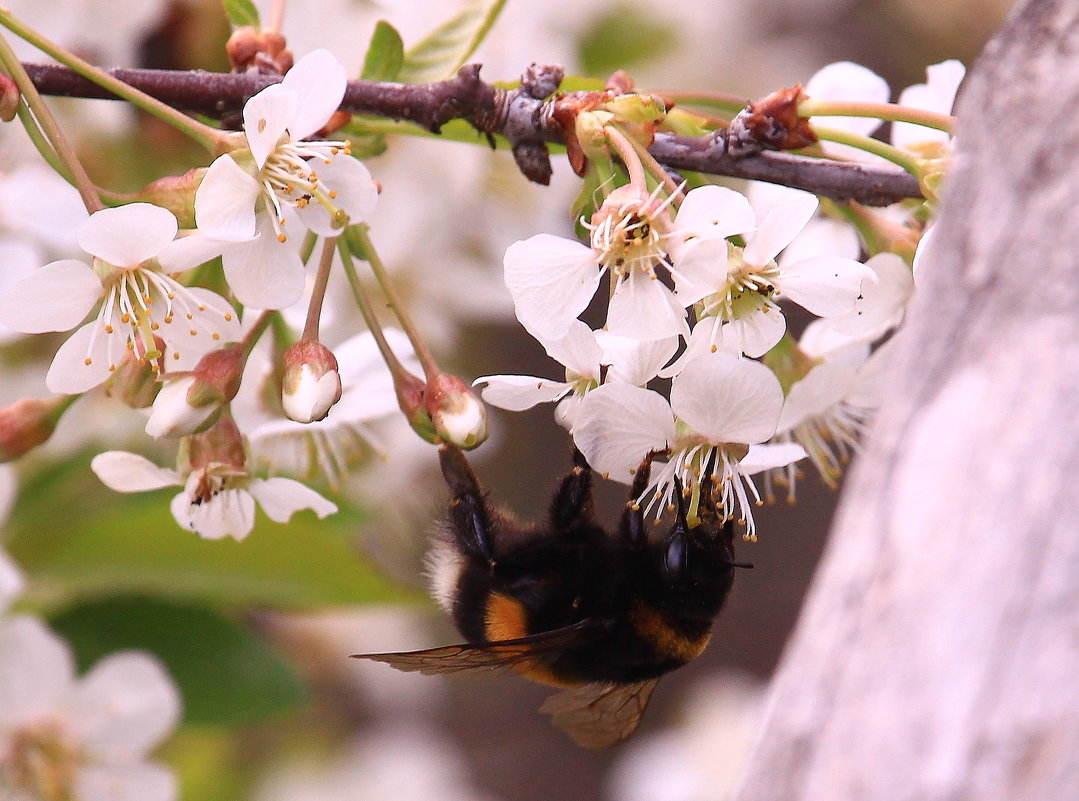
(227, 675)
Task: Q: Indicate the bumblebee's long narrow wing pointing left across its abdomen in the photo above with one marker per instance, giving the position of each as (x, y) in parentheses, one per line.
(485, 657)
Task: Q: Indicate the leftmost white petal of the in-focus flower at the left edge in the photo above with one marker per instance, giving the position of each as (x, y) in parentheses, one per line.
(56, 298)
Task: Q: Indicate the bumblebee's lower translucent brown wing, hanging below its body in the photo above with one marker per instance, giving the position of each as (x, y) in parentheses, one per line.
(597, 716)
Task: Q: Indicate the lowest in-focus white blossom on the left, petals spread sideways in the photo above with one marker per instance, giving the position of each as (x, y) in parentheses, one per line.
(218, 499)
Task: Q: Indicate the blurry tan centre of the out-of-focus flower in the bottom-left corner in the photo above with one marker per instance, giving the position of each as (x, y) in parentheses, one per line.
(40, 763)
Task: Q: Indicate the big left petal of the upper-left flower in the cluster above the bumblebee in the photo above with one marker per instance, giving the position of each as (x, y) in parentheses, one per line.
(551, 280)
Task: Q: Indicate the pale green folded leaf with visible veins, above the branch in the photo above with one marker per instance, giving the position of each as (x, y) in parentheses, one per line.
(442, 52)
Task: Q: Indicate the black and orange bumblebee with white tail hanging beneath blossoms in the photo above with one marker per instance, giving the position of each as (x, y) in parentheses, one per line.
(571, 605)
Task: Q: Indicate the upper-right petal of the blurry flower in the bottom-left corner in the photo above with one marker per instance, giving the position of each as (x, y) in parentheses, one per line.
(125, 707)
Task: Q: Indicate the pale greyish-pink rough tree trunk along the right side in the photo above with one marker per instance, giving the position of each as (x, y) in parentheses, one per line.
(938, 657)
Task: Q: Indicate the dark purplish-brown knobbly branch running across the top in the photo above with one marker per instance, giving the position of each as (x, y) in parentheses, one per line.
(521, 116)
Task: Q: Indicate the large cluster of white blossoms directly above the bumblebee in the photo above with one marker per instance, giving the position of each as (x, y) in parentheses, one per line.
(701, 276)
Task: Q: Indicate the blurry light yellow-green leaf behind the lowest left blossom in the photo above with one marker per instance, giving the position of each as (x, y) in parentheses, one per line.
(76, 539)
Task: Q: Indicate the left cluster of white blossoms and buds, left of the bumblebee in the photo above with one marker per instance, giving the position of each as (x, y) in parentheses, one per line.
(155, 340)
